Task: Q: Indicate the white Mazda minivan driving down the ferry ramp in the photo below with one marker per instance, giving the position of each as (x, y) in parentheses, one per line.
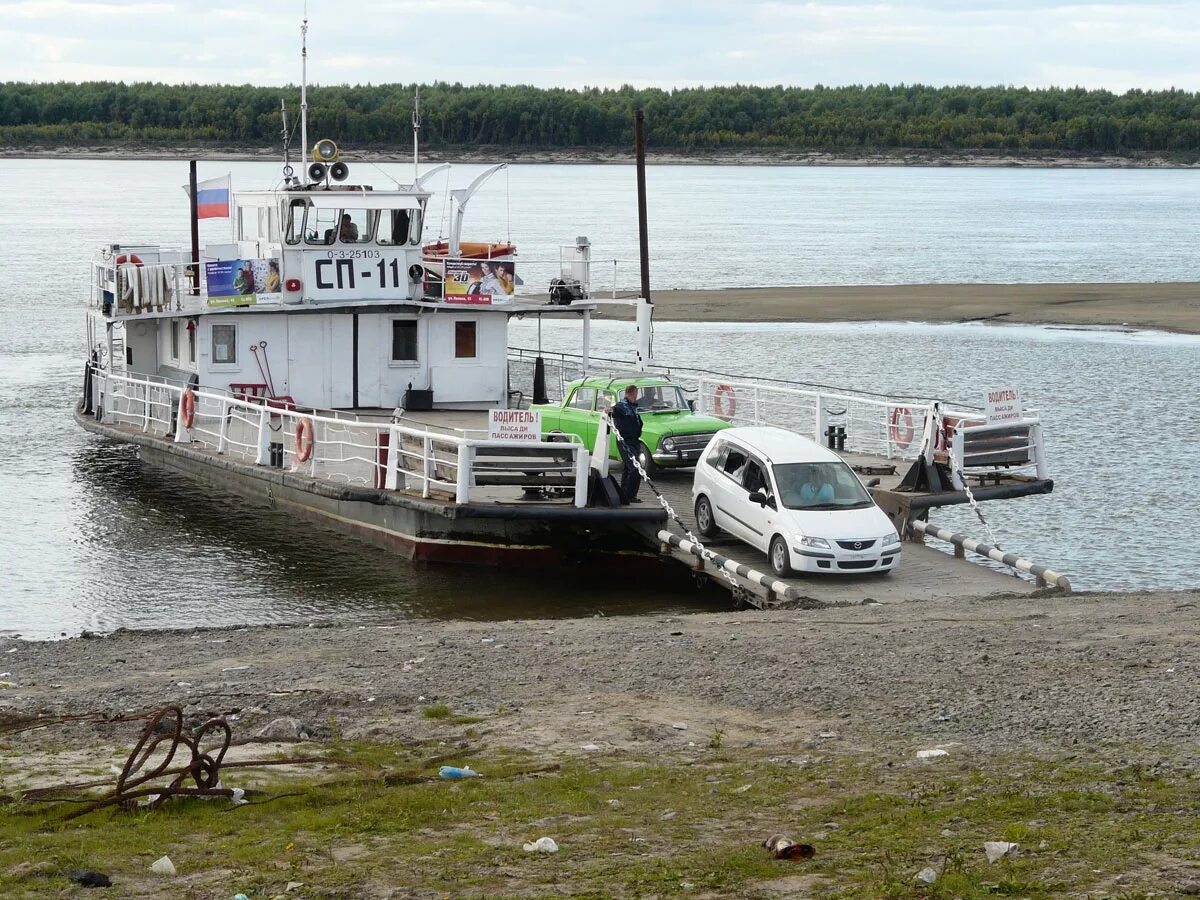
(794, 500)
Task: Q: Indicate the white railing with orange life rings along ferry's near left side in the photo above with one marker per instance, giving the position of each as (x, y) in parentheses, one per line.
(381, 455)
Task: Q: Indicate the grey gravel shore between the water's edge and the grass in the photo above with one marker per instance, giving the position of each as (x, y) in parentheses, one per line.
(1031, 674)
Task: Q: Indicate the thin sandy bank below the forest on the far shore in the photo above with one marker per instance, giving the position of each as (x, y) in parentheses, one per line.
(607, 157)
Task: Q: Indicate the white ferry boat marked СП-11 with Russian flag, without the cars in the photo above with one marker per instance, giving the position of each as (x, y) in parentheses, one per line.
(338, 364)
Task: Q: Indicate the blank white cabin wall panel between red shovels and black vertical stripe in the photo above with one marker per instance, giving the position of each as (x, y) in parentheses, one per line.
(321, 361)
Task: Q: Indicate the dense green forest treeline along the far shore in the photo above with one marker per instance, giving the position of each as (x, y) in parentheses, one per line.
(728, 118)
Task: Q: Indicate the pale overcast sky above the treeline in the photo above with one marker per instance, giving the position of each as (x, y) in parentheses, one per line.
(575, 44)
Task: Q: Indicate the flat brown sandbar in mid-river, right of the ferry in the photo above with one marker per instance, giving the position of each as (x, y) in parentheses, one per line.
(1162, 307)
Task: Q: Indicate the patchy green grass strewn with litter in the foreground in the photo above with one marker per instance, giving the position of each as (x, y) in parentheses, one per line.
(631, 827)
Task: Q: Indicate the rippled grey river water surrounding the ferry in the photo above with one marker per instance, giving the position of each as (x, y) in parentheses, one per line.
(89, 539)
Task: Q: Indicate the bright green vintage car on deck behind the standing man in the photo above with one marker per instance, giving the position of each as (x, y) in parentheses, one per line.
(673, 435)
